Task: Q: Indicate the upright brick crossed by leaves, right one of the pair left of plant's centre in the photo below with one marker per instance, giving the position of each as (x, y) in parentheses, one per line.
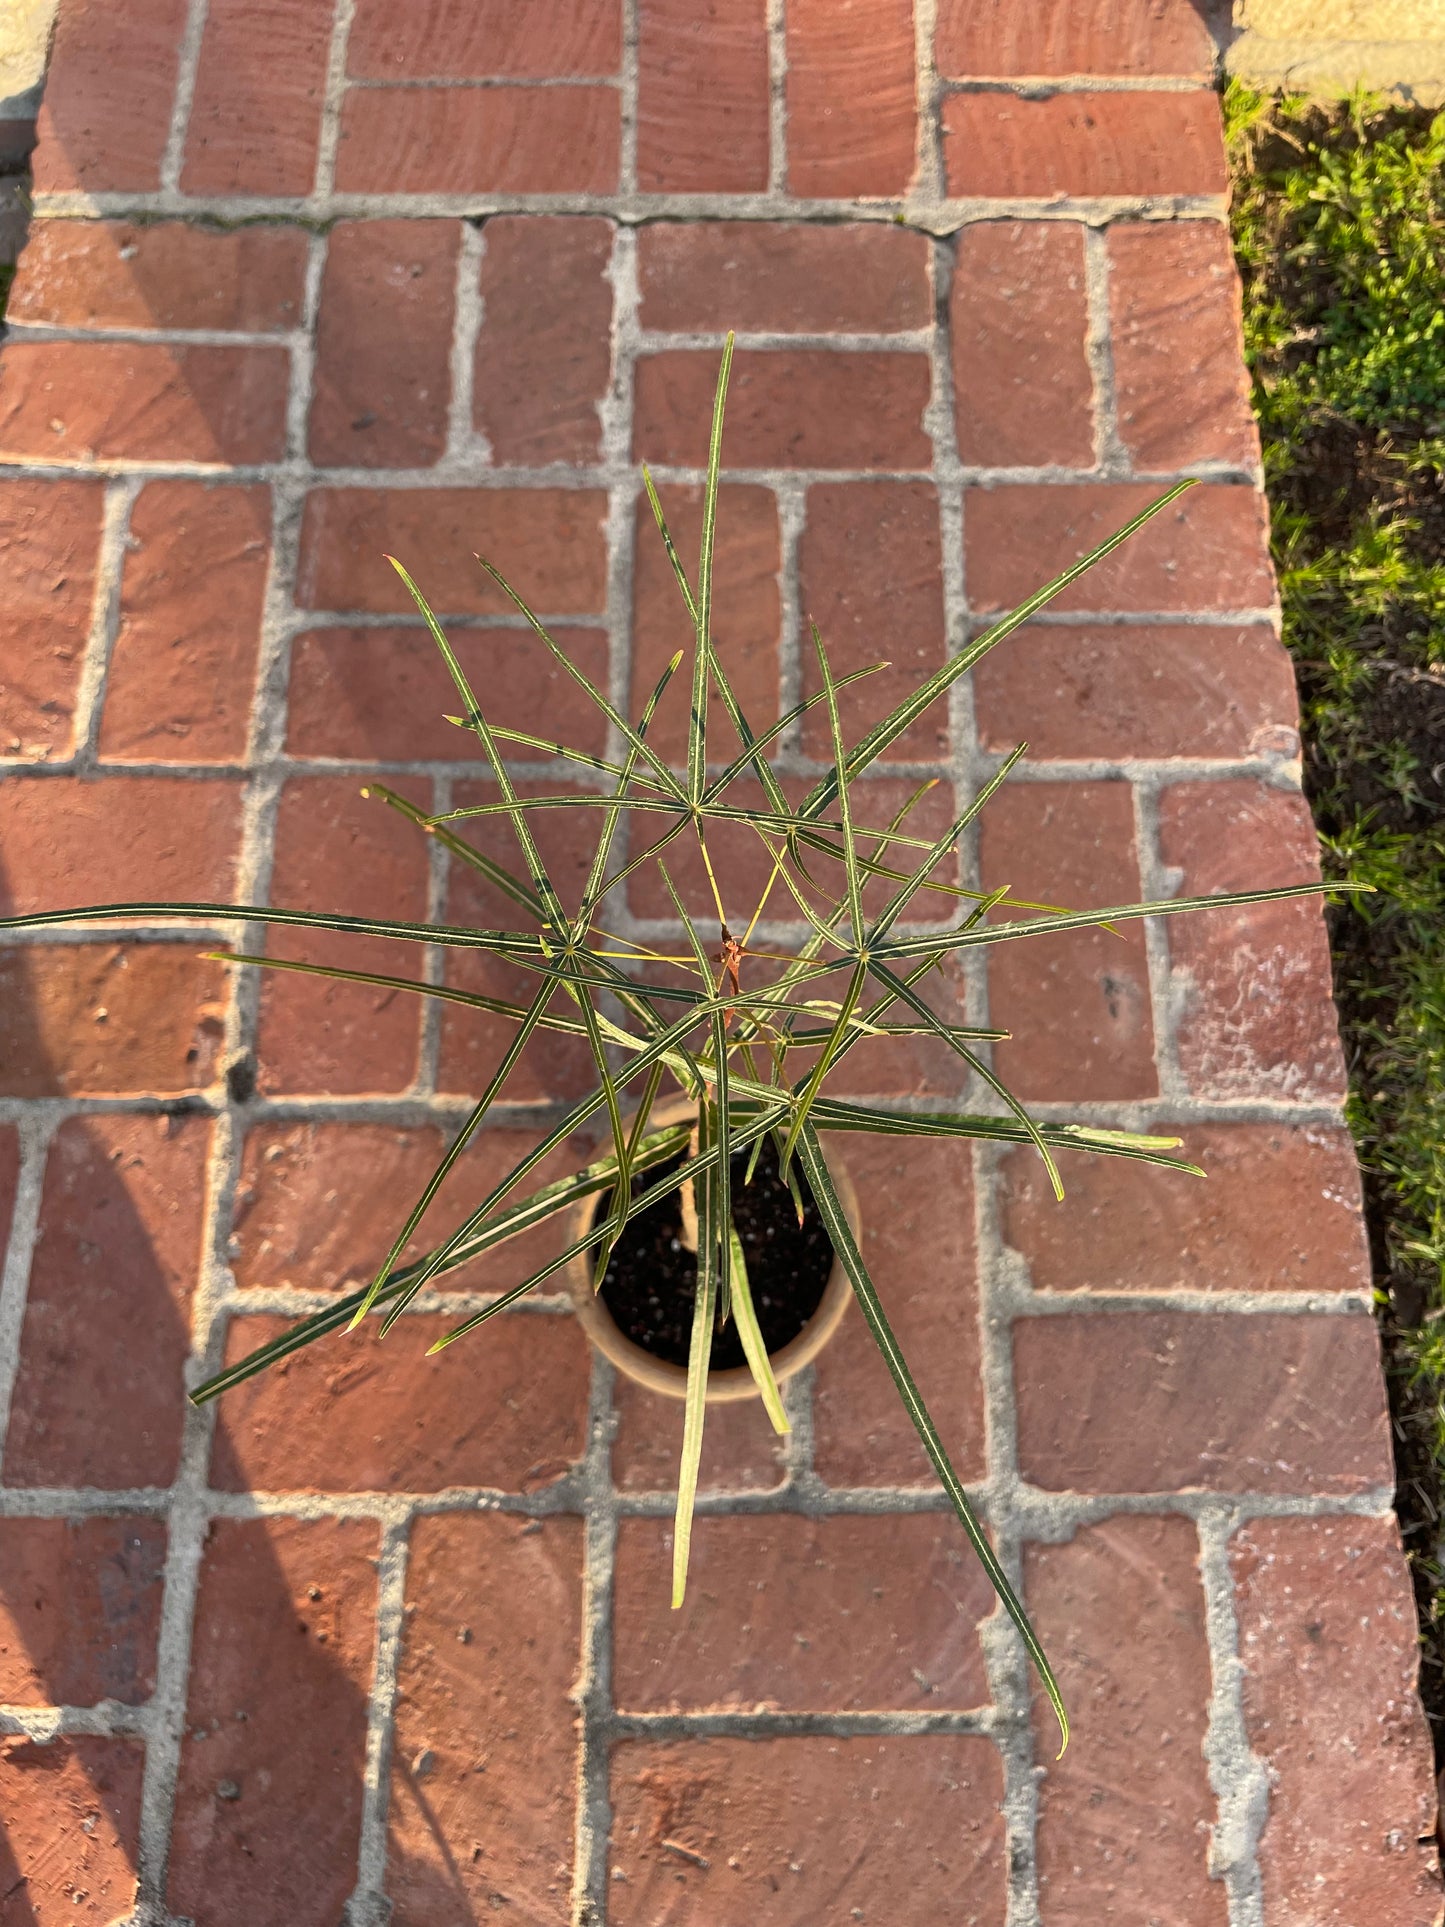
(554, 1067)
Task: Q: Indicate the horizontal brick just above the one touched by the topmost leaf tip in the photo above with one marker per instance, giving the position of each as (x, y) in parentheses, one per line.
(856, 278)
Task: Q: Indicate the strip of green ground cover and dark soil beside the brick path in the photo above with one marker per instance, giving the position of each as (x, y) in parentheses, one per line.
(1340, 234)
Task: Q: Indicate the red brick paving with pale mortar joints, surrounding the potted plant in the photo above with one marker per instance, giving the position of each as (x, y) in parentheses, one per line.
(394, 1631)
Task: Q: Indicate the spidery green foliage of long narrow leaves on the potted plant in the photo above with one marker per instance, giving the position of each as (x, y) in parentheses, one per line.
(750, 1034)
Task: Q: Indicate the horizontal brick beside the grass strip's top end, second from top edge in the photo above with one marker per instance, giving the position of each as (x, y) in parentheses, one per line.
(1118, 144)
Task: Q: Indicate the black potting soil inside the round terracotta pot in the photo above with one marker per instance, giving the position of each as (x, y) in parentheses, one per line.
(652, 1279)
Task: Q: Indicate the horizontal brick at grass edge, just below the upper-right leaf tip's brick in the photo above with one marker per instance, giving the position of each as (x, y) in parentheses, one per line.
(1140, 691)
